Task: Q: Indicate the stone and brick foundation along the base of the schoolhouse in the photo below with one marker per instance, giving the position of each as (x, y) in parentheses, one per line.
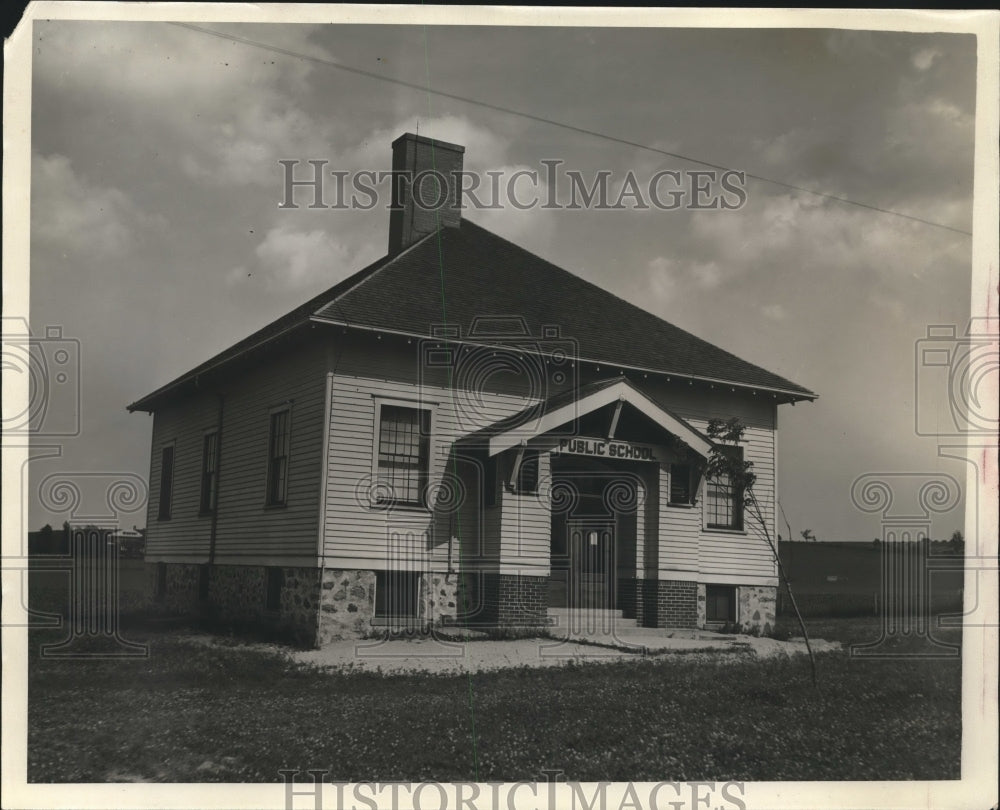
(317, 607)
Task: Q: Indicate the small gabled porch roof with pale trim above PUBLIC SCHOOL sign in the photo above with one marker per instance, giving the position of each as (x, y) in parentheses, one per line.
(538, 419)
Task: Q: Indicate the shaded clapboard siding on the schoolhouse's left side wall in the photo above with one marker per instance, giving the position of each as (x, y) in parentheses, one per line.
(247, 531)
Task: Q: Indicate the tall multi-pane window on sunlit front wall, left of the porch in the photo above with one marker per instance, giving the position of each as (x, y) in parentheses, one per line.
(403, 453)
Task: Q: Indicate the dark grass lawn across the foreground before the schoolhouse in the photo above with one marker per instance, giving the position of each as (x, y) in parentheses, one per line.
(191, 713)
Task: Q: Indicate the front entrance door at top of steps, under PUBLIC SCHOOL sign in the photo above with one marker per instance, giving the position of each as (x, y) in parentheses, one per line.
(591, 564)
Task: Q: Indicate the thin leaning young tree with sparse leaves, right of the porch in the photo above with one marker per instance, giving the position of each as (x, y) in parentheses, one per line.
(722, 463)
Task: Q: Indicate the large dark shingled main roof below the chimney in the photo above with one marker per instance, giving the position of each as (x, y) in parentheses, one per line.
(459, 275)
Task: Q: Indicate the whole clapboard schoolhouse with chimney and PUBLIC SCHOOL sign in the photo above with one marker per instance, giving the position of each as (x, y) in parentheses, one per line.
(460, 433)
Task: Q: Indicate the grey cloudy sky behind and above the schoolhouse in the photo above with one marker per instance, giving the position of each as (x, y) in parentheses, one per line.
(156, 237)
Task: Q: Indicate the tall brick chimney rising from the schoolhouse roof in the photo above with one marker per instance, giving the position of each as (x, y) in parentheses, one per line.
(425, 164)
